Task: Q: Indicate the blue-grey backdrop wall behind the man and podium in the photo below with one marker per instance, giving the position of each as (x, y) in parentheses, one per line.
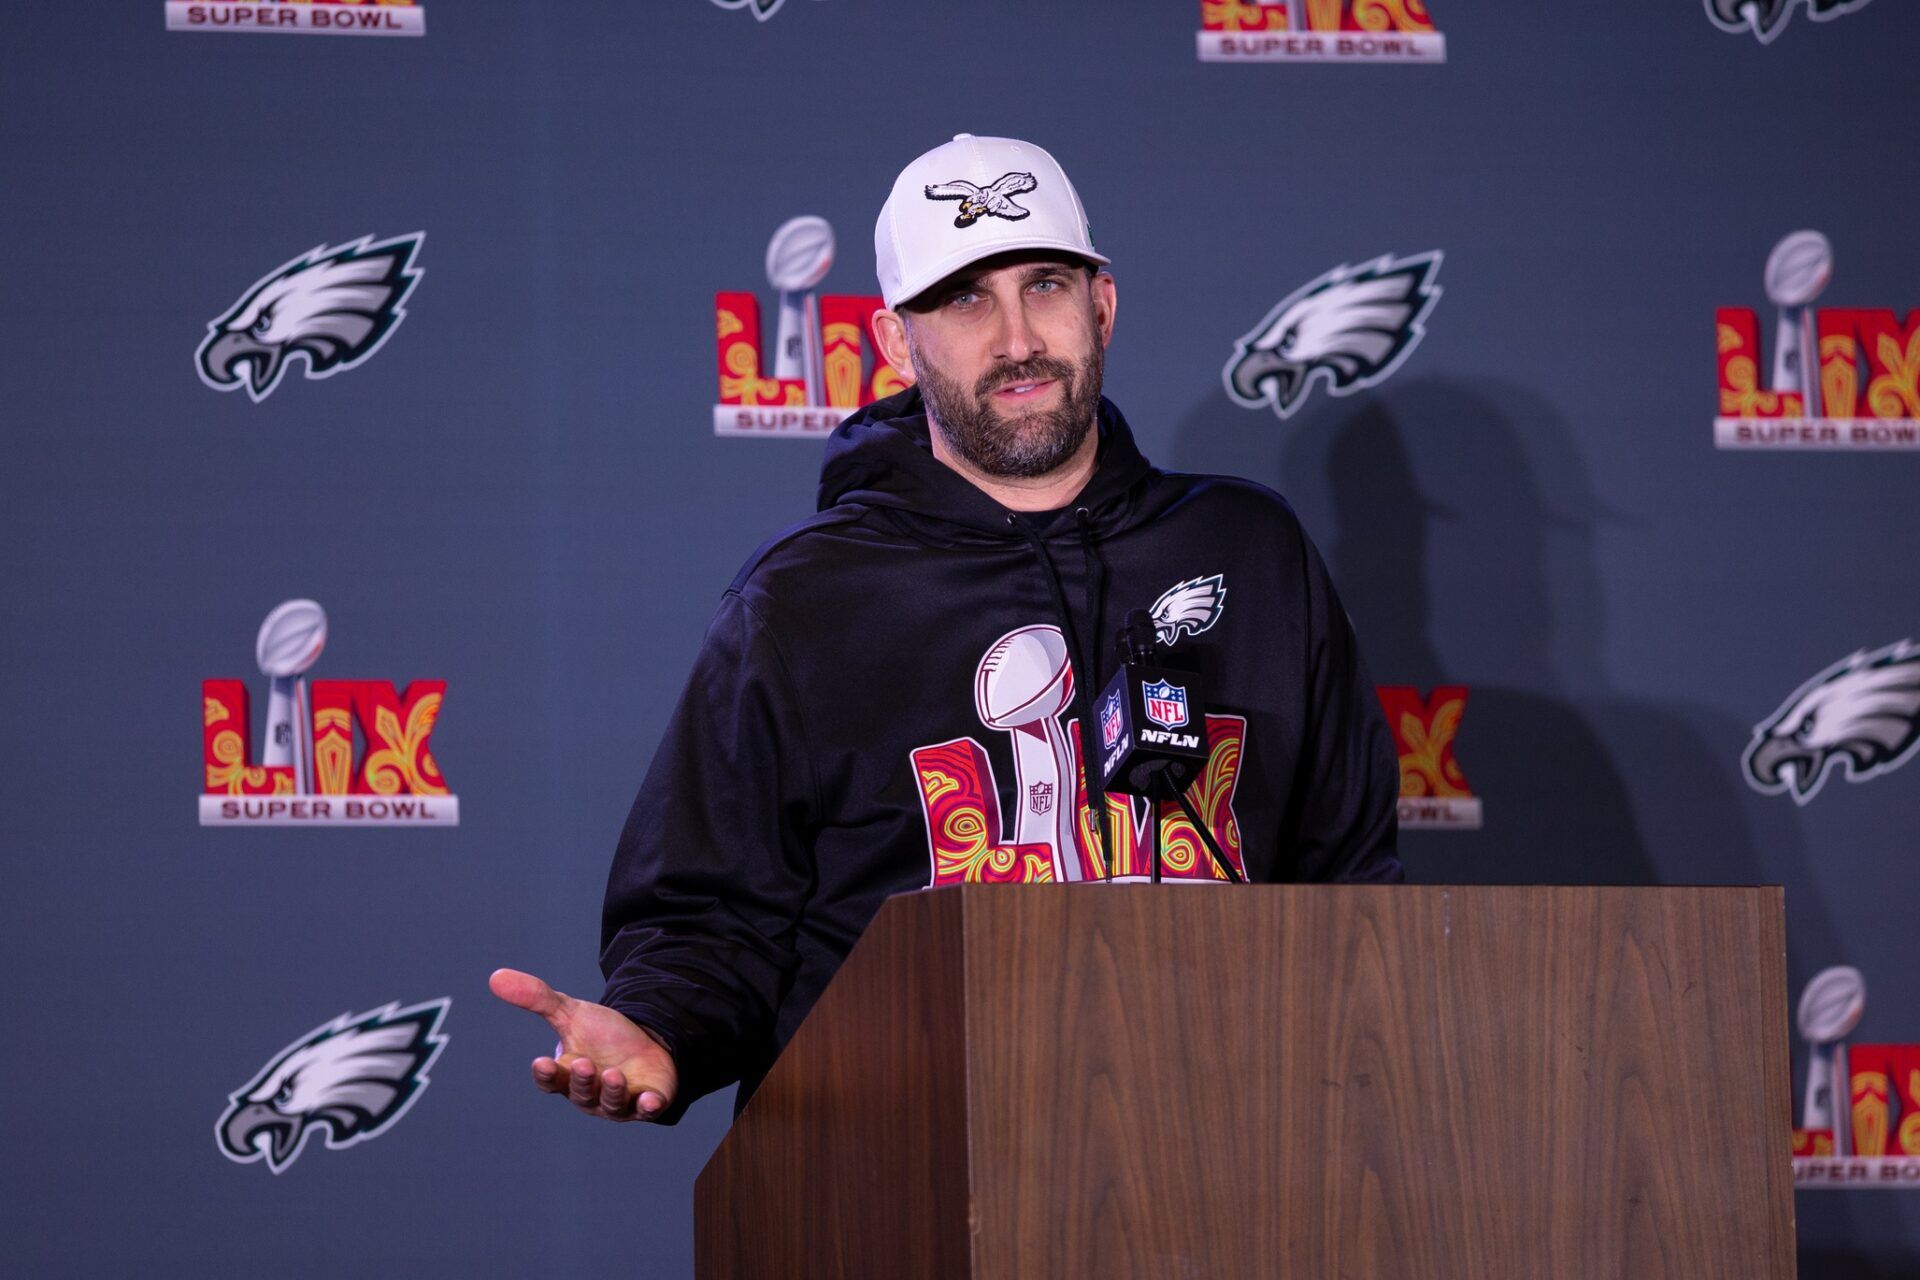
(521, 494)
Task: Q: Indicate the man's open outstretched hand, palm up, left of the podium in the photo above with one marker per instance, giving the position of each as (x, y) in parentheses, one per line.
(606, 1064)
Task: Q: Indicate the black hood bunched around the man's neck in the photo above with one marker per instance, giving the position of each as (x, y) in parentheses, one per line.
(884, 458)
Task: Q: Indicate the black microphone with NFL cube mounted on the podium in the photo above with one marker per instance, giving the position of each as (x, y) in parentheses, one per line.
(1153, 734)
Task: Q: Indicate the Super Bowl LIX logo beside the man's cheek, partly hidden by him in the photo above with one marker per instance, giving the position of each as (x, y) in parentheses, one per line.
(823, 367)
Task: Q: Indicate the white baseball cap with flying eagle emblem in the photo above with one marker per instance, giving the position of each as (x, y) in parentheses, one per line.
(972, 199)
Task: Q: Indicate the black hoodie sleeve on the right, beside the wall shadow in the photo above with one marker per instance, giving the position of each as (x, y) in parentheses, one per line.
(1345, 809)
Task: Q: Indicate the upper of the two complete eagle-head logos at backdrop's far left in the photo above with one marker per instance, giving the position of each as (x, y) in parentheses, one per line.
(331, 308)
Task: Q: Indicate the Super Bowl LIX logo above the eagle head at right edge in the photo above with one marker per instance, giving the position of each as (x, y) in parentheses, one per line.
(1842, 377)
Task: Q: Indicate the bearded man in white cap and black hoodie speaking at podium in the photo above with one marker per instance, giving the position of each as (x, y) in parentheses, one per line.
(901, 690)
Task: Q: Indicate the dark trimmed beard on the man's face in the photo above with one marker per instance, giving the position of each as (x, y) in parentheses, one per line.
(1030, 444)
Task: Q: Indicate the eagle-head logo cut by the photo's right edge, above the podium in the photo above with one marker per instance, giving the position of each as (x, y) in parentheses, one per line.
(1860, 717)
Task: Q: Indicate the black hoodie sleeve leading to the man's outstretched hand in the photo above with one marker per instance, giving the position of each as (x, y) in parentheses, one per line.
(715, 865)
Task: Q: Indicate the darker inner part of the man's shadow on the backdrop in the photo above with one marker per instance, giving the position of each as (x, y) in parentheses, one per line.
(1468, 573)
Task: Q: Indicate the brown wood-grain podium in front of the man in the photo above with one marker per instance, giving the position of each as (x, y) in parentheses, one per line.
(1326, 1083)
